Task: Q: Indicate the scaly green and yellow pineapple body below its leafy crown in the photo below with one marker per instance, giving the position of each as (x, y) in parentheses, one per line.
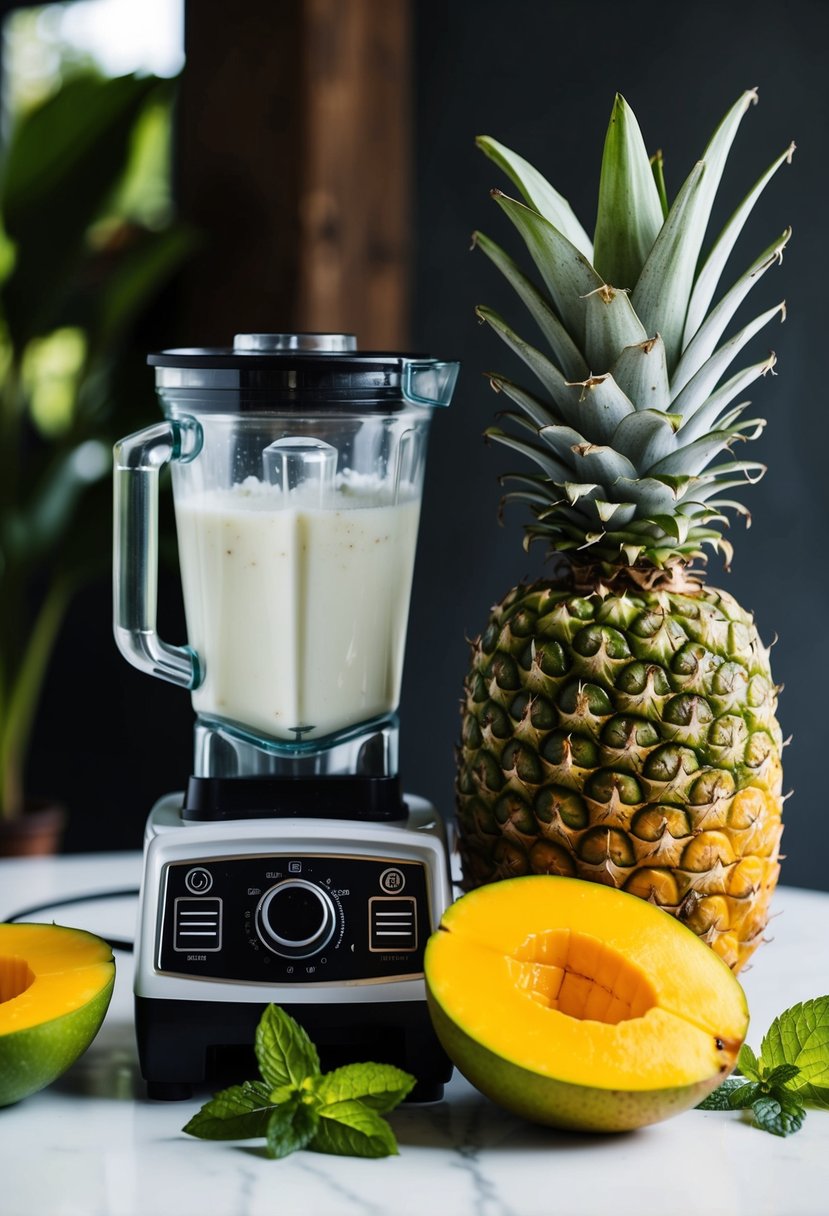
(630, 739)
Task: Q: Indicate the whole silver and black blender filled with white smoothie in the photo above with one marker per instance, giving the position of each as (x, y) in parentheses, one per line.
(294, 869)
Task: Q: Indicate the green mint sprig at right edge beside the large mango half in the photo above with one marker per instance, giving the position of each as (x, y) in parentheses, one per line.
(791, 1073)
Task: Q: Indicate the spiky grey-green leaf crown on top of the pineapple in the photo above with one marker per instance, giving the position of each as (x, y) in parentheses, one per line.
(634, 408)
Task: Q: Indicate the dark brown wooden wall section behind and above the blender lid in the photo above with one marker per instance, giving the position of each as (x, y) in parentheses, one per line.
(294, 151)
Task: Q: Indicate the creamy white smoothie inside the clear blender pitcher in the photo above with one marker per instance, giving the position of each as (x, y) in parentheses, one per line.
(298, 613)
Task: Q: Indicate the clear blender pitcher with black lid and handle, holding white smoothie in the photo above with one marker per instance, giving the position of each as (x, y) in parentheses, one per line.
(297, 465)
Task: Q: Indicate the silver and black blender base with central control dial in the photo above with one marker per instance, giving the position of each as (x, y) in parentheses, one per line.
(215, 944)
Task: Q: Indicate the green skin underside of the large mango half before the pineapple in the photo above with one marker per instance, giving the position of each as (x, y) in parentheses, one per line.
(543, 1100)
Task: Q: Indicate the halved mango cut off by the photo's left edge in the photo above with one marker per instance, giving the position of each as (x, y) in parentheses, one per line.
(55, 989)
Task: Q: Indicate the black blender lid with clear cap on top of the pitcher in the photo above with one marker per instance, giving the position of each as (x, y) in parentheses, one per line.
(303, 368)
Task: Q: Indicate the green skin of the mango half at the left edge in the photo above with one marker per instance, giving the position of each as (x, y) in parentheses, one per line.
(31, 1060)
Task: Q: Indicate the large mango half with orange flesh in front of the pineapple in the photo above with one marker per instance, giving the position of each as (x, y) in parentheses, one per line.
(580, 1006)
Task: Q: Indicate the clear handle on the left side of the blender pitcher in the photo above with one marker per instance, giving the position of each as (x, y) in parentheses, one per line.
(139, 460)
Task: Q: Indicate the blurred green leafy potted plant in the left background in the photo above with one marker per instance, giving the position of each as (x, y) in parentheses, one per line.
(81, 263)
